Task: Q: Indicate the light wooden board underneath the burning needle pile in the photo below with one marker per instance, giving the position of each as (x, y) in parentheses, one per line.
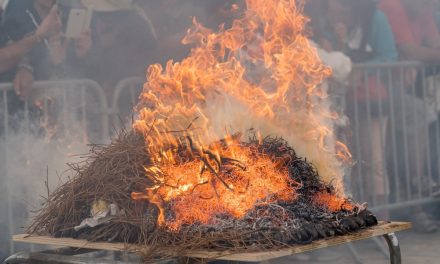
(379, 230)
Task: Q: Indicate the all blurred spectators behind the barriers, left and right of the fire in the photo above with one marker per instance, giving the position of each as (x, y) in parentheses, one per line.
(125, 36)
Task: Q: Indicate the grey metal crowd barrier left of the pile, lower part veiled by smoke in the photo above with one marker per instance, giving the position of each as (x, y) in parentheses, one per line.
(57, 112)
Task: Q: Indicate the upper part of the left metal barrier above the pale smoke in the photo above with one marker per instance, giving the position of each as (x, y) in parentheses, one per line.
(57, 102)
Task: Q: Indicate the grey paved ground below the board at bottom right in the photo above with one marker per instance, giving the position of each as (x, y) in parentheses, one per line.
(416, 249)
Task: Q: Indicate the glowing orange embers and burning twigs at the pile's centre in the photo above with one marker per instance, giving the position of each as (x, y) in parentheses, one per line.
(230, 177)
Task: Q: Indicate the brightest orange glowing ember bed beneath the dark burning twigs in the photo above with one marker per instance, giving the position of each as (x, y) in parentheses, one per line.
(197, 197)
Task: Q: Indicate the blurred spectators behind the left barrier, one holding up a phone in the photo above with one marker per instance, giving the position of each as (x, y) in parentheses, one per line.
(124, 37)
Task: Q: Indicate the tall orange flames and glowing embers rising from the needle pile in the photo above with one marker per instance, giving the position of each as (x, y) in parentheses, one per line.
(193, 112)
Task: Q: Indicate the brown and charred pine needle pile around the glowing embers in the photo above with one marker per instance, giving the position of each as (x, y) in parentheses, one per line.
(113, 172)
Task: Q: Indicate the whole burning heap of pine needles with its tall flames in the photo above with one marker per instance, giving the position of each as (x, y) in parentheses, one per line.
(192, 175)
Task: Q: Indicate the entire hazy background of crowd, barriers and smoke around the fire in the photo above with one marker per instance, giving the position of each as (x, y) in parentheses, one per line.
(71, 72)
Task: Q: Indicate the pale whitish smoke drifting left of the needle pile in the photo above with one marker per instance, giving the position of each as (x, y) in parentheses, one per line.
(34, 157)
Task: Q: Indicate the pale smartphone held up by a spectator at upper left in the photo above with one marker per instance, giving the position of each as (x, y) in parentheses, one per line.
(78, 21)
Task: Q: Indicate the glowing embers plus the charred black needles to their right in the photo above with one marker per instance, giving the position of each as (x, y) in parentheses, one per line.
(262, 185)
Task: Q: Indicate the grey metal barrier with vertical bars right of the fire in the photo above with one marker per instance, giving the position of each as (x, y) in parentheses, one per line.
(394, 122)
